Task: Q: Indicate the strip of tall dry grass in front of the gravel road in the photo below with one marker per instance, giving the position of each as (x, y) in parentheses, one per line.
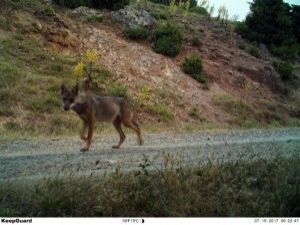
(257, 188)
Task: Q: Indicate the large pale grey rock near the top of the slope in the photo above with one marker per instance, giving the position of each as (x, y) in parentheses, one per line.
(133, 18)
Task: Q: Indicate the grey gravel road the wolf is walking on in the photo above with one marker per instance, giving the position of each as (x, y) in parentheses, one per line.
(40, 158)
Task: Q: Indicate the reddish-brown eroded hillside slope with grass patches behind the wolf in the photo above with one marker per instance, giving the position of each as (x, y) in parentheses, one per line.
(40, 44)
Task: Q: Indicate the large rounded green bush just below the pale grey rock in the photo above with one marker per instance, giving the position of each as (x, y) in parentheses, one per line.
(167, 39)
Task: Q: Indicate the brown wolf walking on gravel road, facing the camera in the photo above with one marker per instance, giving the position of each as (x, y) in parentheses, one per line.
(92, 108)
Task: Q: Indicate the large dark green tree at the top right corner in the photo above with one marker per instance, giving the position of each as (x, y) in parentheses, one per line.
(275, 24)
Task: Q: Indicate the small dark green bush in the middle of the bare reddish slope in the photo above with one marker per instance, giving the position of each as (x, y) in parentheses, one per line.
(193, 67)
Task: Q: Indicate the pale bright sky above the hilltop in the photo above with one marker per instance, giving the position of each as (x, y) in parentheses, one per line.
(240, 7)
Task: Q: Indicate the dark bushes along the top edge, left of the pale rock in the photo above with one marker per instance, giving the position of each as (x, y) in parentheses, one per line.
(100, 4)
